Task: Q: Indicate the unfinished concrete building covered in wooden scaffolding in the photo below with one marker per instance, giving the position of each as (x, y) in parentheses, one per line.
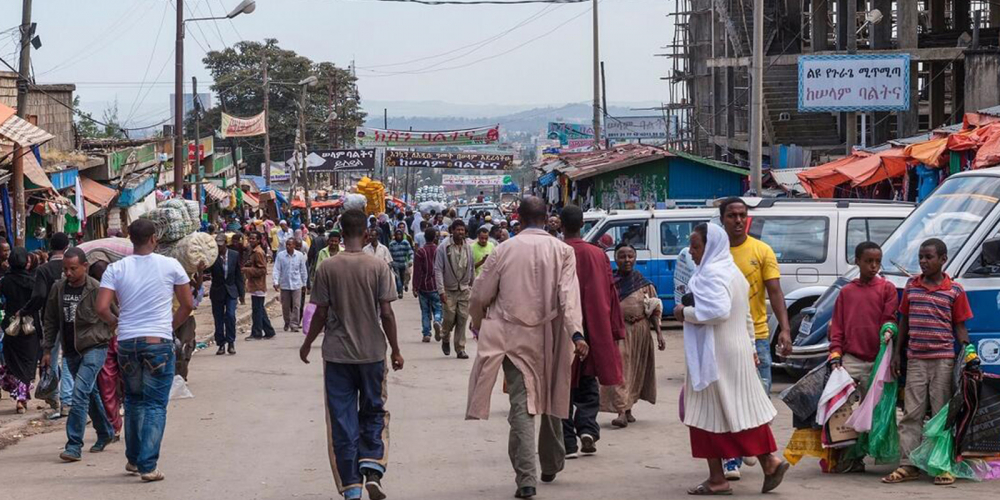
(955, 66)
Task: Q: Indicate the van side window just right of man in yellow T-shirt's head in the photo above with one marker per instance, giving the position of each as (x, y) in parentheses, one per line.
(795, 240)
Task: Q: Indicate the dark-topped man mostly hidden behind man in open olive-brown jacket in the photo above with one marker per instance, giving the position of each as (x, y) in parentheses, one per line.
(45, 277)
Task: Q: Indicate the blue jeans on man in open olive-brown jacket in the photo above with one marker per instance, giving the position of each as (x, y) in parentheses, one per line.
(86, 399)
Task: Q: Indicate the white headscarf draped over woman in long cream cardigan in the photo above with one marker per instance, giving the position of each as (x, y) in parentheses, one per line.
(712, 299)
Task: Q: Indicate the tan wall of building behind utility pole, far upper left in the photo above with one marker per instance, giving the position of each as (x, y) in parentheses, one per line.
(44, 103)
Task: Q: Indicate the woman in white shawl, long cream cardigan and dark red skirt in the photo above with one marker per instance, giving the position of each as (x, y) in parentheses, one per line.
(725, 407)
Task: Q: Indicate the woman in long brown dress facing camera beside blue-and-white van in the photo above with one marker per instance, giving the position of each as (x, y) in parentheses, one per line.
(641, 310)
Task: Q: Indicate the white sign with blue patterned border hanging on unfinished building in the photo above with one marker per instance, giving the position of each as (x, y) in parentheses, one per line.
(870, 82)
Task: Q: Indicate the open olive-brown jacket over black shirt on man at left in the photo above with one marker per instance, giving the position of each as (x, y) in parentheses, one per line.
(91, 330)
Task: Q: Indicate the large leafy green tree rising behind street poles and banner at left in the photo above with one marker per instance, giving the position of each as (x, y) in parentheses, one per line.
(238, 75)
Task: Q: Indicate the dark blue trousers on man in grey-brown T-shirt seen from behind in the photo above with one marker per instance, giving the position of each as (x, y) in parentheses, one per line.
(358, 422)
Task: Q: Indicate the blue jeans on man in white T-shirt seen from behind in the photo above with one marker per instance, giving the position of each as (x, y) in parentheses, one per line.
(147, 373)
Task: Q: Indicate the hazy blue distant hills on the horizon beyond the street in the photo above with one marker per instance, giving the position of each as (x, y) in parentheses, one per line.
(526, 119)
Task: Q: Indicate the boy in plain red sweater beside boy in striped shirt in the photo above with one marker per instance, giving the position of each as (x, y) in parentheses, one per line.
(863, 306)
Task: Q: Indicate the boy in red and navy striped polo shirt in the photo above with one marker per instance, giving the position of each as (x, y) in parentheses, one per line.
(933, 313)
